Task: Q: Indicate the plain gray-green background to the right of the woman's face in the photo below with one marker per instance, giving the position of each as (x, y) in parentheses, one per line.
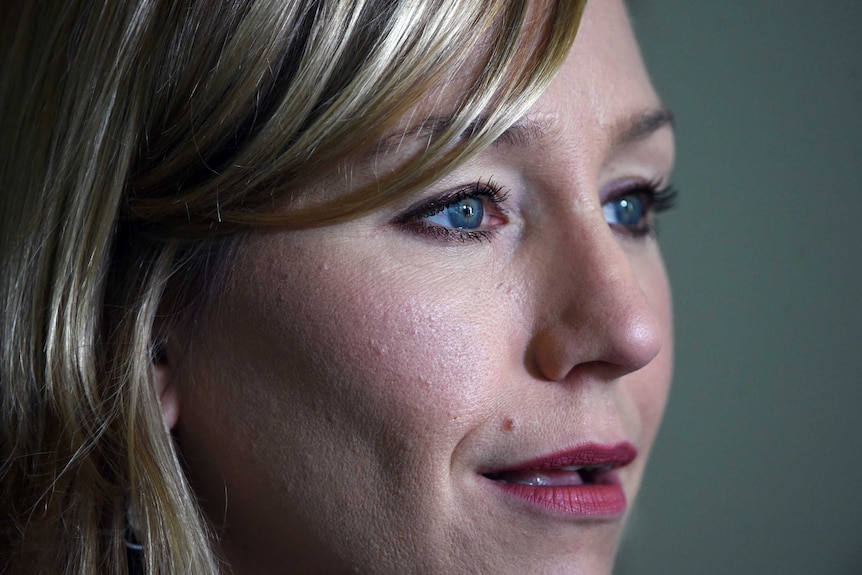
(758, 468)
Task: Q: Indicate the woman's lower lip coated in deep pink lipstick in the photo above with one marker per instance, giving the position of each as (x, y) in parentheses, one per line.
(599, 501)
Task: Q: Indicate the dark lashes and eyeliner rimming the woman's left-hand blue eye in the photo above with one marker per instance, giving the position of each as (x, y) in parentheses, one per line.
(490, 193)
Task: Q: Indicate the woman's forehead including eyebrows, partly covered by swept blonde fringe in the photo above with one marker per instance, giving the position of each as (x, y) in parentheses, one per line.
(603, 85)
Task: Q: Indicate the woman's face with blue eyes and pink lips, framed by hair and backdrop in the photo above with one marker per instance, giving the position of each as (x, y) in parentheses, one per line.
(396, 395)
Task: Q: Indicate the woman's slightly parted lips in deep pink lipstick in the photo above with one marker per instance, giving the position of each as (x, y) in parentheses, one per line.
(580, 482)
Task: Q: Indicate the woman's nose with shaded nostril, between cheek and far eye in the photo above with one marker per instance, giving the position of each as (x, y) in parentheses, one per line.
(594, 317)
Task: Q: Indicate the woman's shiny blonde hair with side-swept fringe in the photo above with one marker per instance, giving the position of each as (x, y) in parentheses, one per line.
(140, 140)
